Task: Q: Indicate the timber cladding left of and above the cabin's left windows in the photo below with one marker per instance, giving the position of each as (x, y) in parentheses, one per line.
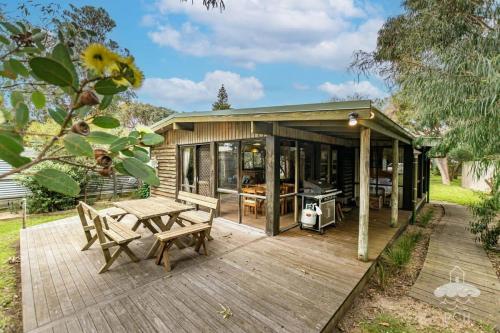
(166, 154)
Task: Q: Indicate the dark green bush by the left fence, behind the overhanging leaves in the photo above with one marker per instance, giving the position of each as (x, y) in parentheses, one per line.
(41, 200)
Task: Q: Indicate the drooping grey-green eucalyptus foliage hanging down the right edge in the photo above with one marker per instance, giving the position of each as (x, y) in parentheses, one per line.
(443, 57)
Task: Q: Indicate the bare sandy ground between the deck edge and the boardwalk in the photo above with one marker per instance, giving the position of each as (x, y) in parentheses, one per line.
(393, 299)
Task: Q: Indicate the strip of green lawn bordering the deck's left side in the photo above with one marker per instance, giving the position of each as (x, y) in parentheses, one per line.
(9, 237)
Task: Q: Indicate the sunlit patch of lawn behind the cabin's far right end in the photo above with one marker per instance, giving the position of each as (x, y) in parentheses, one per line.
(452, 193)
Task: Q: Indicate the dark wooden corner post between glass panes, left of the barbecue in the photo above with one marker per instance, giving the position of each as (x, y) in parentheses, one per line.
(272, 185)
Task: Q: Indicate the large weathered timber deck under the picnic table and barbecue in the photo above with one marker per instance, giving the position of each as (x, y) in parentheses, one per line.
(298, 281)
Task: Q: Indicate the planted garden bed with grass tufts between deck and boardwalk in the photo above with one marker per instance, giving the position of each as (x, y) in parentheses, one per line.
(385, 304)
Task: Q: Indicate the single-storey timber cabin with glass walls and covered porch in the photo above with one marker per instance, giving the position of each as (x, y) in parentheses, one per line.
(267, 164)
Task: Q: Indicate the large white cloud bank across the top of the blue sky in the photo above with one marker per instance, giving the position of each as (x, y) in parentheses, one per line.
(317, 32)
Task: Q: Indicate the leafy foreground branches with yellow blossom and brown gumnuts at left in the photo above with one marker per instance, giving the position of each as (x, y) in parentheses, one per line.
(44, 72)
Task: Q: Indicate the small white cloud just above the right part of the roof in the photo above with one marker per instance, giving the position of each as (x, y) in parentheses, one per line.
(350, 88)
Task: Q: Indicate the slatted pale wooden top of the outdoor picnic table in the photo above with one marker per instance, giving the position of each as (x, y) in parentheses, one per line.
(152, 207)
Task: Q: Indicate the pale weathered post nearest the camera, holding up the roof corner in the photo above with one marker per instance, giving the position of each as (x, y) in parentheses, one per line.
(364, 193)
